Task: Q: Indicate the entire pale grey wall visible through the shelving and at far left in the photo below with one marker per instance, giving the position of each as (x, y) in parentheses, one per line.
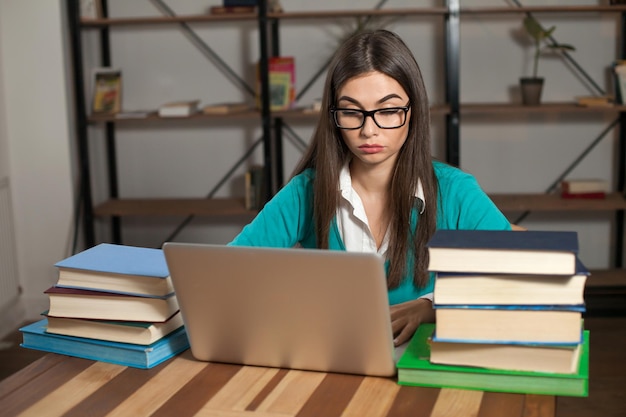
(517, 154)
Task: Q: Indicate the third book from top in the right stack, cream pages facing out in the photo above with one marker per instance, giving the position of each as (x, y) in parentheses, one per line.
(557, 324)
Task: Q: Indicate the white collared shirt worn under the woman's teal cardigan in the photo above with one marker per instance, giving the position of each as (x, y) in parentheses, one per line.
(352, 221)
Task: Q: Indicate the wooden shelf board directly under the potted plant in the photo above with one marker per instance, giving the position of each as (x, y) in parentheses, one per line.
(555, 107)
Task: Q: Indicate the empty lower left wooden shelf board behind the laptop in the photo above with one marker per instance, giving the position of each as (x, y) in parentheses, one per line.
(225, 207)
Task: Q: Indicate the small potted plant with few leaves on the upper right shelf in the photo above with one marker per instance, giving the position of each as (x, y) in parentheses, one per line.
(531, 87)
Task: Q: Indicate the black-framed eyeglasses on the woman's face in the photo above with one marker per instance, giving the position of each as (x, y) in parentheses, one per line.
(387, 118)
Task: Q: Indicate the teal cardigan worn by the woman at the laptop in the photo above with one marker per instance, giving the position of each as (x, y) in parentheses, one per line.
(287, 219)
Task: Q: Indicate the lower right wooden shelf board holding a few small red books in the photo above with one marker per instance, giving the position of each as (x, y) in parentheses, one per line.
(553, 202)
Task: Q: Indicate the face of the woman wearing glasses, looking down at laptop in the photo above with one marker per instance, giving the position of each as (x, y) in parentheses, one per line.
(370, 144)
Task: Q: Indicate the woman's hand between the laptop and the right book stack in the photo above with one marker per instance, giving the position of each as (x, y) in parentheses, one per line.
(406, 318)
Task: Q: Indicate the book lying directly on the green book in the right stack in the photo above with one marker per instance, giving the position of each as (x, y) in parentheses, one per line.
(534, 357)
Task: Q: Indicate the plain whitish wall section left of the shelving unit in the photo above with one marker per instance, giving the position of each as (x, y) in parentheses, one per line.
(37, 139)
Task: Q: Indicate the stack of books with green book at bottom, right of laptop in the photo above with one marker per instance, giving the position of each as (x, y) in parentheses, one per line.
(508, 309)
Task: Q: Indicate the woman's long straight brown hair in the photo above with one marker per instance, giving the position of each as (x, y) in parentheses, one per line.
(384, 52)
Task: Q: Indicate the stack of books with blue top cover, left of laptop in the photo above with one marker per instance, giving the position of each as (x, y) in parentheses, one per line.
(112, 303)
